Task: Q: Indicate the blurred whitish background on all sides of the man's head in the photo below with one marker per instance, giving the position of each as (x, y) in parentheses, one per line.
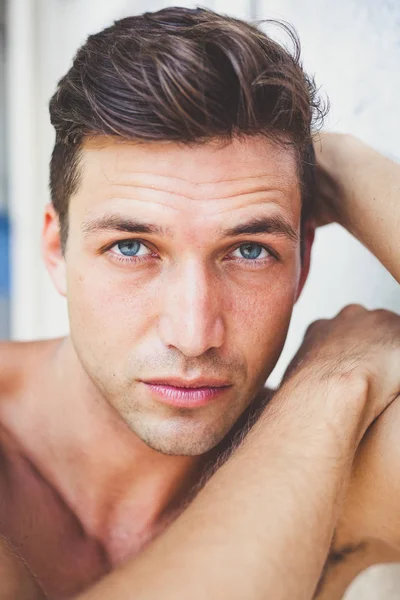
(351, 46)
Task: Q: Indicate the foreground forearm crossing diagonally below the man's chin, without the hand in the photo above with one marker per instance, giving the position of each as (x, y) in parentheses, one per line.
(263, 524)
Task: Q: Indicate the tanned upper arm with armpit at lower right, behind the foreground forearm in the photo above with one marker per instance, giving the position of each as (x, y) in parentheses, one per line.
(368, 530)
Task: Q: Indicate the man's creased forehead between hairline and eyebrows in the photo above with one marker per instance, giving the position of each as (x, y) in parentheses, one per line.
(239, 170)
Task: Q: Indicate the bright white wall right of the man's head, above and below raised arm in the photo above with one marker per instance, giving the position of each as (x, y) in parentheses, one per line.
(353, 48)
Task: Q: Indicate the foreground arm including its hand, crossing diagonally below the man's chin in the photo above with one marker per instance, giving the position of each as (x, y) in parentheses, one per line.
(263, 524)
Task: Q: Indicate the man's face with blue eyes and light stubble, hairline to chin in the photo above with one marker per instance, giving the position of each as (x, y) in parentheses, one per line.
(161, 286)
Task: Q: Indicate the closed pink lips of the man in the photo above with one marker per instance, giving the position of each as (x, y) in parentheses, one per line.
(187, 393)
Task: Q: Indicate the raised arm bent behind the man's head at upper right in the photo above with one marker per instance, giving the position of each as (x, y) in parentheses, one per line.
(360, 189)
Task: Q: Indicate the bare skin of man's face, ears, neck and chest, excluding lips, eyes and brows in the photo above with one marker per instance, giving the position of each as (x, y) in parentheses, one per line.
(192, 306)
